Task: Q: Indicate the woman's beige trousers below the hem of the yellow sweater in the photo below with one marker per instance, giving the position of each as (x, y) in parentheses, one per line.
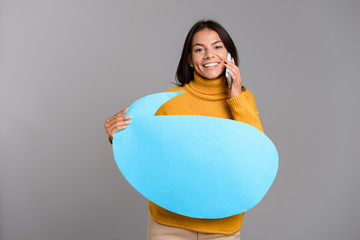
(157, 231)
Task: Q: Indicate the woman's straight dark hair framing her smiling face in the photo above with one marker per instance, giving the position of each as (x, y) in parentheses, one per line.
(185, 73)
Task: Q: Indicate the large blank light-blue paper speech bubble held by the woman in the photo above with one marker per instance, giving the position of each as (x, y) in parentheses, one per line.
(196, 166)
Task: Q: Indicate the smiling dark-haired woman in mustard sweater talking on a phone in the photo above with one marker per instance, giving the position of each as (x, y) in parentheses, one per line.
(201, 72)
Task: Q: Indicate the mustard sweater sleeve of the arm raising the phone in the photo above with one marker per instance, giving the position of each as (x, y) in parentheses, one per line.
(243, 109)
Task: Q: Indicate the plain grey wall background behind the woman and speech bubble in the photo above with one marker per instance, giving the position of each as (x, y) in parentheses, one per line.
(68, 65)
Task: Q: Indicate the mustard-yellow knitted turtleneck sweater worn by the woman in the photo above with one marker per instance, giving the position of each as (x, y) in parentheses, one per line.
(207, 98)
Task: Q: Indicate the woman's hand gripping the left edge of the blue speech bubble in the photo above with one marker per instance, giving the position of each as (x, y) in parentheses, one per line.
(117, 122)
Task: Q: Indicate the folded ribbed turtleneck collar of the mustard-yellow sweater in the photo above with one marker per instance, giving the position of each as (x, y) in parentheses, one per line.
(211, 89)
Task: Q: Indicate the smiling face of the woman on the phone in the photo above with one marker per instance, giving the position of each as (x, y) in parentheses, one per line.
(208, 54)
